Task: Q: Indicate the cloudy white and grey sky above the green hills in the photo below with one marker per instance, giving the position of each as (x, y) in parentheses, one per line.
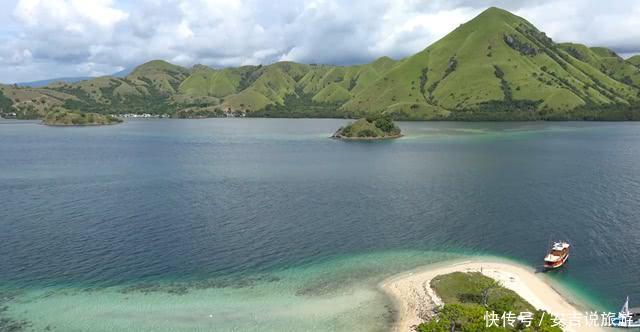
(41, 39)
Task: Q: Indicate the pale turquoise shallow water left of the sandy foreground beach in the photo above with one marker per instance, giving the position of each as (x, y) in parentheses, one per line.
(337, 294)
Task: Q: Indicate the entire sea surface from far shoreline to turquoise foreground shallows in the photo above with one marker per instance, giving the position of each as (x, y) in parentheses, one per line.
(269, 225)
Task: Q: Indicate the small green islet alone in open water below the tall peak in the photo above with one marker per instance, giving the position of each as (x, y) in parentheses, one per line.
(370, 128)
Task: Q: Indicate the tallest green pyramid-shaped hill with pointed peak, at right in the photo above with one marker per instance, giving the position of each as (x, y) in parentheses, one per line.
(497, 62)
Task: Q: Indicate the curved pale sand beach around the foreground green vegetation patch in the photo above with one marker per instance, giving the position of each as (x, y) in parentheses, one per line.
(415, 300)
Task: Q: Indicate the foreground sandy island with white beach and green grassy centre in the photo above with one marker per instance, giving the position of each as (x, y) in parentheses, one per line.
(459, 293)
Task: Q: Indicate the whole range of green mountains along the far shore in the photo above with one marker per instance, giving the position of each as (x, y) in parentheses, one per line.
(497, 66)
